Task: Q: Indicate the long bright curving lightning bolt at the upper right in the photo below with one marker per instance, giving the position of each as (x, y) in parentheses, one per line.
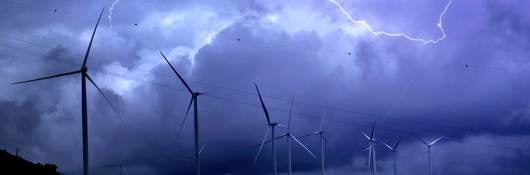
(369, 28)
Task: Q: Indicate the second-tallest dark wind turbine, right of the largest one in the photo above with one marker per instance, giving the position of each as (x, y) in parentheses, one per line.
(193, 100)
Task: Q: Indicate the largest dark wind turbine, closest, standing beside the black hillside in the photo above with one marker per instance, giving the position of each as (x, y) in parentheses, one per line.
(84, 76)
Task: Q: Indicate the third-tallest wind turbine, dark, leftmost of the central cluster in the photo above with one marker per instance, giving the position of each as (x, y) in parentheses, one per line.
(272, 127)
